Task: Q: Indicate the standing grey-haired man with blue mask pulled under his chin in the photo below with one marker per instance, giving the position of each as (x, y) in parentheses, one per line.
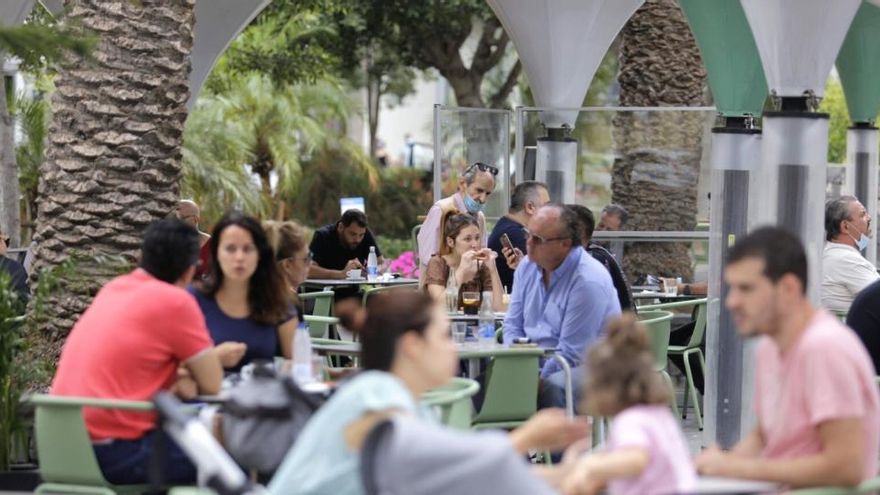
(475, 185)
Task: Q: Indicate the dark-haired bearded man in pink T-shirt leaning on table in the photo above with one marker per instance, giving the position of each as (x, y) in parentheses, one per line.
(816, 400)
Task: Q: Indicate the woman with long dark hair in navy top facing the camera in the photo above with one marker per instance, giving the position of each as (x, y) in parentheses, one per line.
(245, 298)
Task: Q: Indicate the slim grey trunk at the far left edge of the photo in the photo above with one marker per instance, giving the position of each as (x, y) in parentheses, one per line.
(10, 214)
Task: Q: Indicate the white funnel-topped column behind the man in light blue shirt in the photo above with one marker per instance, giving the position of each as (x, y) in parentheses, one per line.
(560, 44)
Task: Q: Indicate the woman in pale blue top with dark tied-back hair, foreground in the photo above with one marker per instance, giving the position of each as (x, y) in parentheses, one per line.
(406, 350)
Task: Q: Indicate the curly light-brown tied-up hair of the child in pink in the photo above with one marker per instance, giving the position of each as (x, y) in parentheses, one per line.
(620, 370)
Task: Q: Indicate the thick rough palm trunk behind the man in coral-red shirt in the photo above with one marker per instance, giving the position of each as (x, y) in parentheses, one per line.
(113, 161)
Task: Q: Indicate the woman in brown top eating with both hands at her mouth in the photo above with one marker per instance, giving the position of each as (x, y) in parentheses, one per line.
(463, 263)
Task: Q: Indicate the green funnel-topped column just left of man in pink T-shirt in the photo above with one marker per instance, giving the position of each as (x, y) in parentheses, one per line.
(738, 87)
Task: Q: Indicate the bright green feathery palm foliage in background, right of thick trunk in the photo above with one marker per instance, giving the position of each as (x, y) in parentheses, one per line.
(271, 130)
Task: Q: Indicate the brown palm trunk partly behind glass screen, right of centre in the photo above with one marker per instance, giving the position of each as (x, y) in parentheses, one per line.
(656, 174)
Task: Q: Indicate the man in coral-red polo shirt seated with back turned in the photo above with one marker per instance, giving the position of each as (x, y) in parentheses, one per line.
(143, 333)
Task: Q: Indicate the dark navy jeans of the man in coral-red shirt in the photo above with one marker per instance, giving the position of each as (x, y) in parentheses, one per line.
(127, 462)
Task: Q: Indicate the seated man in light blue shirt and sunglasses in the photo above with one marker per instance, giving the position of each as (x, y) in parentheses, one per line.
(562, 297)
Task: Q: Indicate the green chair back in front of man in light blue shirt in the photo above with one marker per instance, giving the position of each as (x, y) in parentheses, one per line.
(511, 388)
